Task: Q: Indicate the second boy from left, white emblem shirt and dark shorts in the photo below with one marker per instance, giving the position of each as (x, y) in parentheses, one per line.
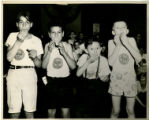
(58, 60)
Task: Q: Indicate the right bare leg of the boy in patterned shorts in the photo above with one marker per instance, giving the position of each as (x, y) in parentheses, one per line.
(130, 107)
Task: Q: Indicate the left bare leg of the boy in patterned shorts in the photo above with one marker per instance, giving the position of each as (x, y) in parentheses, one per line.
(116, 106)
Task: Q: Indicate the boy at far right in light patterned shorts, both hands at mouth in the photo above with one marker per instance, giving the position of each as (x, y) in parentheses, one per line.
(122, 54)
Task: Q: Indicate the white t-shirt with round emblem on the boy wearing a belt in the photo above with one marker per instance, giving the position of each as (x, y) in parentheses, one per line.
(21, 58)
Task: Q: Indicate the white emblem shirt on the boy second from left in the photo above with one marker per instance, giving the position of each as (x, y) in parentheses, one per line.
(57, 66)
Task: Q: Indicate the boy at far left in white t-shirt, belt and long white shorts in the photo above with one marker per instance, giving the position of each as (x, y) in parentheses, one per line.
(24, 54)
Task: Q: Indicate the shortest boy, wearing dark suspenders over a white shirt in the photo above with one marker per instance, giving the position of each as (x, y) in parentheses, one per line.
(95, 70)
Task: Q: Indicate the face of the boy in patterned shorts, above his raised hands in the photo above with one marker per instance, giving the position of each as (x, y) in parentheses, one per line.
(120, 28)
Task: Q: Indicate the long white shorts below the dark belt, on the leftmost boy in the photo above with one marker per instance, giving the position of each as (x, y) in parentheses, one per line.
(21, 88)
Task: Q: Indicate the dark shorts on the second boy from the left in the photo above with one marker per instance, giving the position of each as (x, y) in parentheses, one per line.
(59, 92)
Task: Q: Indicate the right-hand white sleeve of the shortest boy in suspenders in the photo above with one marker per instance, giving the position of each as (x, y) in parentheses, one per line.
(104, 67)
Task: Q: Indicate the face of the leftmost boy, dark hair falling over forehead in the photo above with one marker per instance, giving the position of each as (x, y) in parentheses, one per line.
(23, 24)
